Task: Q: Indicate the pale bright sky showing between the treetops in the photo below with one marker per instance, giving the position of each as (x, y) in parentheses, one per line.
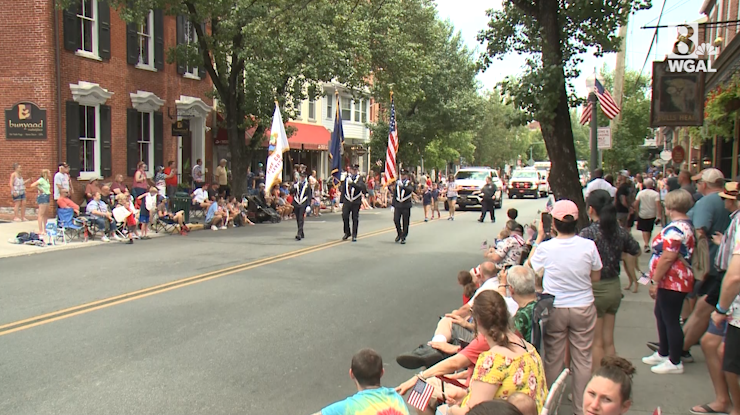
(472, 18)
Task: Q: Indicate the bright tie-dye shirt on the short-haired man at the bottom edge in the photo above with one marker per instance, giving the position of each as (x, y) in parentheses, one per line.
(380, 401)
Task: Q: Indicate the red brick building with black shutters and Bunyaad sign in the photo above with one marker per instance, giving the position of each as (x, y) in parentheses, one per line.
(109, 96)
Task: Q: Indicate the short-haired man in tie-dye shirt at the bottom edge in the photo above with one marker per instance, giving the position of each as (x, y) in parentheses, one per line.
(366, 370)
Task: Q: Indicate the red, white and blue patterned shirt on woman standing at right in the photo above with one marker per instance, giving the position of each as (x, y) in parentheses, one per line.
(678, 237)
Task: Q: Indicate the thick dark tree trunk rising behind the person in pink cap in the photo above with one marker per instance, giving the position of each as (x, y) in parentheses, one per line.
(556, 125)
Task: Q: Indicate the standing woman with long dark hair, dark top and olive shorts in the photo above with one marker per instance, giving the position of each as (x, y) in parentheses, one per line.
(612, 241)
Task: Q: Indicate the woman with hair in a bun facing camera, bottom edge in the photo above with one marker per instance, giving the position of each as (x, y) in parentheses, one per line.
(609, 392)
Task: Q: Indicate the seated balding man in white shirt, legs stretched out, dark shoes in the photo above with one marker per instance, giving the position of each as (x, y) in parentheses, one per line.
(455, 328)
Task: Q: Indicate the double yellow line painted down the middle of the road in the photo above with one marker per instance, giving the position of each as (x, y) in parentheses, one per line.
(158, 289)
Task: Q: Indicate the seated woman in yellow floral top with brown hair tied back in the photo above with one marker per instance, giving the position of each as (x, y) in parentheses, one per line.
(511, 365)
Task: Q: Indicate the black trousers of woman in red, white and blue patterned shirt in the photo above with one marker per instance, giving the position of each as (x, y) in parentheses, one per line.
(668, 306)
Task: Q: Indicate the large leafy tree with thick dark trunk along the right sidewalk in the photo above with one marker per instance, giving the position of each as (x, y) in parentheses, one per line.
(554, 33)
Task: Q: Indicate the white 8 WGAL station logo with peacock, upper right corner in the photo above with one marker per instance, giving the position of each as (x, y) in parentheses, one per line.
(689, 55)
